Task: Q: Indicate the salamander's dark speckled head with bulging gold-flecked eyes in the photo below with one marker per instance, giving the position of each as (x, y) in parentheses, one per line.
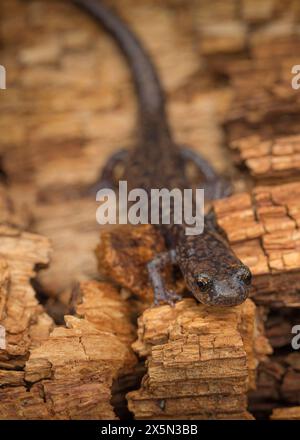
(221, 288)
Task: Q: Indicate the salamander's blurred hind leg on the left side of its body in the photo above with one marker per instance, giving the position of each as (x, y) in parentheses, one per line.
(107, 176)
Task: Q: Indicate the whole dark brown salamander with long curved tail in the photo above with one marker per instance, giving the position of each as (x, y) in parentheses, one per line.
(211, 271)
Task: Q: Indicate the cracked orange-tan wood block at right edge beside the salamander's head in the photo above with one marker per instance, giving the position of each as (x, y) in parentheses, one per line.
(264, 231)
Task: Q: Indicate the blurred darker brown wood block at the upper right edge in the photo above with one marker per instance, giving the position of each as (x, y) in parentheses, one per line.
(261, 121)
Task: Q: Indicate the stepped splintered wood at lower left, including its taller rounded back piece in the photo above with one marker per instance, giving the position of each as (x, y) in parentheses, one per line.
(70, 374)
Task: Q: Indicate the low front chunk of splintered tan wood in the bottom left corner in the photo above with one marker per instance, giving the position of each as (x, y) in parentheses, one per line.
(73, 376)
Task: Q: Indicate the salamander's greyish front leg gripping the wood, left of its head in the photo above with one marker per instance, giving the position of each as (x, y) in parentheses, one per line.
(161, 294)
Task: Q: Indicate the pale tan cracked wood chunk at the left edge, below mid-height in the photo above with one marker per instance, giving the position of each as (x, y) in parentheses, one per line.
(23, 319)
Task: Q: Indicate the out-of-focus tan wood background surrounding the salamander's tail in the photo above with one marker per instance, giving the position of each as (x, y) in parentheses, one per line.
(69, 103)
